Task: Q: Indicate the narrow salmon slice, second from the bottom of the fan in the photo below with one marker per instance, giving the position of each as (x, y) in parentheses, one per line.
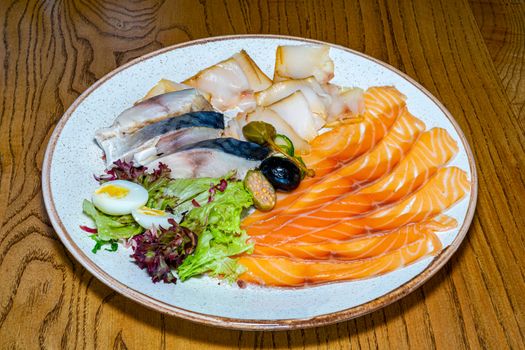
(359, 248)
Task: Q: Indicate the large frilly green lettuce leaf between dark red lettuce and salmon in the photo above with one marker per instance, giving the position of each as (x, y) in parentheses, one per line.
(218, 224)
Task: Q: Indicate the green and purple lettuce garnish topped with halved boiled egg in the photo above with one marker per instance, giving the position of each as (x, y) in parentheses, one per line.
(206, 239)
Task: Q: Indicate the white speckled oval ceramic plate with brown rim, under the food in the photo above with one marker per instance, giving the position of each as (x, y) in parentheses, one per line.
(72, 157)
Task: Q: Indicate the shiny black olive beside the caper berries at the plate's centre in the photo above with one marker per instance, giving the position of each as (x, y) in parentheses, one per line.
(283, 174)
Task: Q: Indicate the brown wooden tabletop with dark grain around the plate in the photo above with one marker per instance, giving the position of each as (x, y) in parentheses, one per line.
(470, 55)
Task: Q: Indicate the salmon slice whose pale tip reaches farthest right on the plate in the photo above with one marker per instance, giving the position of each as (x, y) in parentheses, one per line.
(447, 187)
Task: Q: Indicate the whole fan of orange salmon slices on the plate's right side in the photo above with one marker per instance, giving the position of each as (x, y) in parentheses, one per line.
(375, 204)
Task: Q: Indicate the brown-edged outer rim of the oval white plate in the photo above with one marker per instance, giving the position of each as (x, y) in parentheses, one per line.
(252, 324)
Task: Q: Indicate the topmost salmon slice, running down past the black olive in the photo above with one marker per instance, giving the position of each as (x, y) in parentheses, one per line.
(382, 106)
